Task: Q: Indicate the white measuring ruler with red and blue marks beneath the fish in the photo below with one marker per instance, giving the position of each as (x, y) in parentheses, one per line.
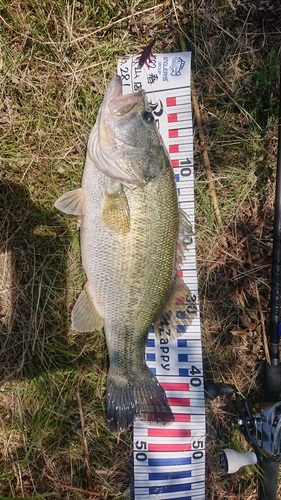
(169, 461)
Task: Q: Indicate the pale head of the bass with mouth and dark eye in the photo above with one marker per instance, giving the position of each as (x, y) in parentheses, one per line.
(125, 143)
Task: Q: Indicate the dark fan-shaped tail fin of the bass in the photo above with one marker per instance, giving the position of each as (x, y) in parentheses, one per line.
(143, 398)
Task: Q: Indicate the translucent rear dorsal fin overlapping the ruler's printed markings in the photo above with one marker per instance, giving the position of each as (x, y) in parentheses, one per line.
(179, 311)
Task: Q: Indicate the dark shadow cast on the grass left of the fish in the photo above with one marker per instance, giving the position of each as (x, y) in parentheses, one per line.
(33, 284)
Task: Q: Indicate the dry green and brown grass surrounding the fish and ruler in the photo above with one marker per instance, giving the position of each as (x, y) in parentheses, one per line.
(56, 59)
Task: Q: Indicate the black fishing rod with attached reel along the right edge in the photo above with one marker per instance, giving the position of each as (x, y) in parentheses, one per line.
(261, 425)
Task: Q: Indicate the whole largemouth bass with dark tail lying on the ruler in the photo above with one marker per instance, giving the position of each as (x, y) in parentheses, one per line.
(133, 237)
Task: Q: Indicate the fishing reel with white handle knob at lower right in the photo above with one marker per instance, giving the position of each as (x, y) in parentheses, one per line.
(261, 427)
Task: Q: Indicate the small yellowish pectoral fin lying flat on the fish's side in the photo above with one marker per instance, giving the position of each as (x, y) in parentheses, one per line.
(115, 210)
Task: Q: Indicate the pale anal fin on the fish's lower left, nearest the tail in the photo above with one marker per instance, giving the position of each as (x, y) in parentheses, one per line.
(85, 317)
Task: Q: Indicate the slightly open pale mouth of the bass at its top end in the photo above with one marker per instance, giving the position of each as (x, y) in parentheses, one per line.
(120, 105)
